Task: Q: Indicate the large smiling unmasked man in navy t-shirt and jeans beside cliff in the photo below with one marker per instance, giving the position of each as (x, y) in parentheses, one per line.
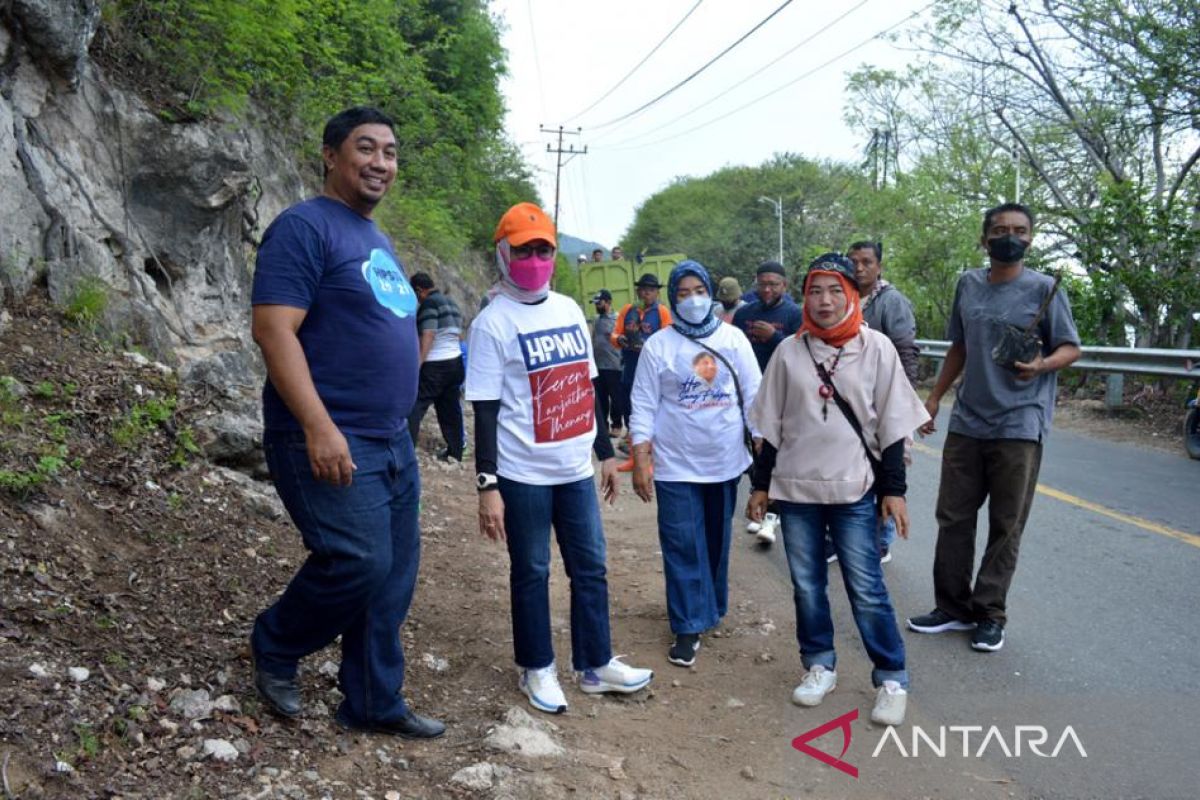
(335, 318)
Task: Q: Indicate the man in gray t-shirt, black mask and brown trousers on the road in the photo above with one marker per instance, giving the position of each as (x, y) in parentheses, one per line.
(1001, 414)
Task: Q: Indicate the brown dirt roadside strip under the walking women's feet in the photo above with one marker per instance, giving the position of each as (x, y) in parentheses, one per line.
(719, 730)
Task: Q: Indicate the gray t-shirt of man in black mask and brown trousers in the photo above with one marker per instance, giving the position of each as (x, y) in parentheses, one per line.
(992, 402)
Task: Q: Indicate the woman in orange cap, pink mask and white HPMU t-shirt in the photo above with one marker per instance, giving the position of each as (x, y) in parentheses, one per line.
(530, 380)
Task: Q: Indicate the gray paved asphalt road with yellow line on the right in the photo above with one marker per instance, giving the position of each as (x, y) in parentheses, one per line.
(1105, 636)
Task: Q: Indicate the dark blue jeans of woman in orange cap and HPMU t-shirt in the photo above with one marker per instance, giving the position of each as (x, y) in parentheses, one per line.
(574, 512)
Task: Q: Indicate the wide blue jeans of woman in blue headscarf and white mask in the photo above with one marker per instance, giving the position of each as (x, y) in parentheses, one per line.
(694, 532)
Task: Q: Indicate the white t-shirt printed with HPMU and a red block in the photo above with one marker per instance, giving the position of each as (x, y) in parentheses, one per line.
(537, 360)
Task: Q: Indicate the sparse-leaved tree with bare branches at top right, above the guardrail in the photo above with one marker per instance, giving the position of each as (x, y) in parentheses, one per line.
(1100, 99)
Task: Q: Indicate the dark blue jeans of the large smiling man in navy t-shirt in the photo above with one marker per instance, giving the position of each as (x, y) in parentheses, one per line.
(364, 549)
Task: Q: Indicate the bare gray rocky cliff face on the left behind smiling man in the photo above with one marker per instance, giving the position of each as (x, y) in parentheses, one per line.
(98, 190)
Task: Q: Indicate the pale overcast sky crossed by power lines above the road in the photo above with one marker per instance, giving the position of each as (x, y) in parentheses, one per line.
(566, 55)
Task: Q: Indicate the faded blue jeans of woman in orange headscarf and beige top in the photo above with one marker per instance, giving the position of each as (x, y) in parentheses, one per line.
(854, 530)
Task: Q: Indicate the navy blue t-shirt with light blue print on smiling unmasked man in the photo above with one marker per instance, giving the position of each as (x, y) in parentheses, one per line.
(361, 333)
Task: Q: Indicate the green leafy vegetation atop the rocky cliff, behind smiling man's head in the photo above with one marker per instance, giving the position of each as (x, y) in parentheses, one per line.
(434, 65)
